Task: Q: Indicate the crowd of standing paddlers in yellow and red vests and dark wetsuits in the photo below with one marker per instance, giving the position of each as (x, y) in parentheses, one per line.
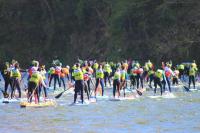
(84, 74)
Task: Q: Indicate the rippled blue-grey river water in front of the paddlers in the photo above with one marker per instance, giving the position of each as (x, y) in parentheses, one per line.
(143, 115)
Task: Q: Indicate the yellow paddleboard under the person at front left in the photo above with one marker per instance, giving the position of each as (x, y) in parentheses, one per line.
(41, 104)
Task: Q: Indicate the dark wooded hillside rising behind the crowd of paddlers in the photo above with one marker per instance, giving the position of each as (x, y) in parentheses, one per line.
(159, 30)
